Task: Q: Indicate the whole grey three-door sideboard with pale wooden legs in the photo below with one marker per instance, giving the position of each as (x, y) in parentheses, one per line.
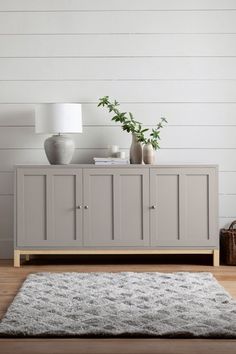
(136, 209)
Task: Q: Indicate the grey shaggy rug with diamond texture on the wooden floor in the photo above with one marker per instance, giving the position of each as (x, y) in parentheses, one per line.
(121, 304)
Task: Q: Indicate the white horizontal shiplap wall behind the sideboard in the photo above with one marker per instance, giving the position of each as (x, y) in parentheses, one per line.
(175, 58)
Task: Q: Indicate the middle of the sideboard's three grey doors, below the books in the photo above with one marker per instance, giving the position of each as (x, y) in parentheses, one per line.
(116, 207)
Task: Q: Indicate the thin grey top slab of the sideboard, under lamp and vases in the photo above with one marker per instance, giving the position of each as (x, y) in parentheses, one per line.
(119, 166)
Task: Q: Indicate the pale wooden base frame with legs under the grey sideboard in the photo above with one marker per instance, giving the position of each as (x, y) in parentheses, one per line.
(27, 253)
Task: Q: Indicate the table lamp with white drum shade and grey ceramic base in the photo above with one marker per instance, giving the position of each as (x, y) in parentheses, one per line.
(58, 118)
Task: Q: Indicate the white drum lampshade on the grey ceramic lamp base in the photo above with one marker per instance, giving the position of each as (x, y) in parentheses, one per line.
(58, 118)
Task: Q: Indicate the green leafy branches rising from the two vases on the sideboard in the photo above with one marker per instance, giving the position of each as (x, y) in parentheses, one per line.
(130, 125)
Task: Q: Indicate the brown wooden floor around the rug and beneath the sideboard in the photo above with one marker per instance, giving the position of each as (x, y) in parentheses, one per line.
(12, 278)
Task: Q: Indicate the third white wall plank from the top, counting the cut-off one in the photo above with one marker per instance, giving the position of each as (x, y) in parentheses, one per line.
(118, 45)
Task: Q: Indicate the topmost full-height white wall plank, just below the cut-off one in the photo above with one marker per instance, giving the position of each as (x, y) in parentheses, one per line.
(118, 22)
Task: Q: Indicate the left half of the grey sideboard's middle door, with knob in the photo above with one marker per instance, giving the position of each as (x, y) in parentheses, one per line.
(99, 217)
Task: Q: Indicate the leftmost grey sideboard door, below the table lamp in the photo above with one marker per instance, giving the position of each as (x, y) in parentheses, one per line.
(47, 207)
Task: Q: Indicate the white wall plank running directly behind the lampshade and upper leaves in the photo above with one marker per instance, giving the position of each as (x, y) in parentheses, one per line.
(148, 113)
